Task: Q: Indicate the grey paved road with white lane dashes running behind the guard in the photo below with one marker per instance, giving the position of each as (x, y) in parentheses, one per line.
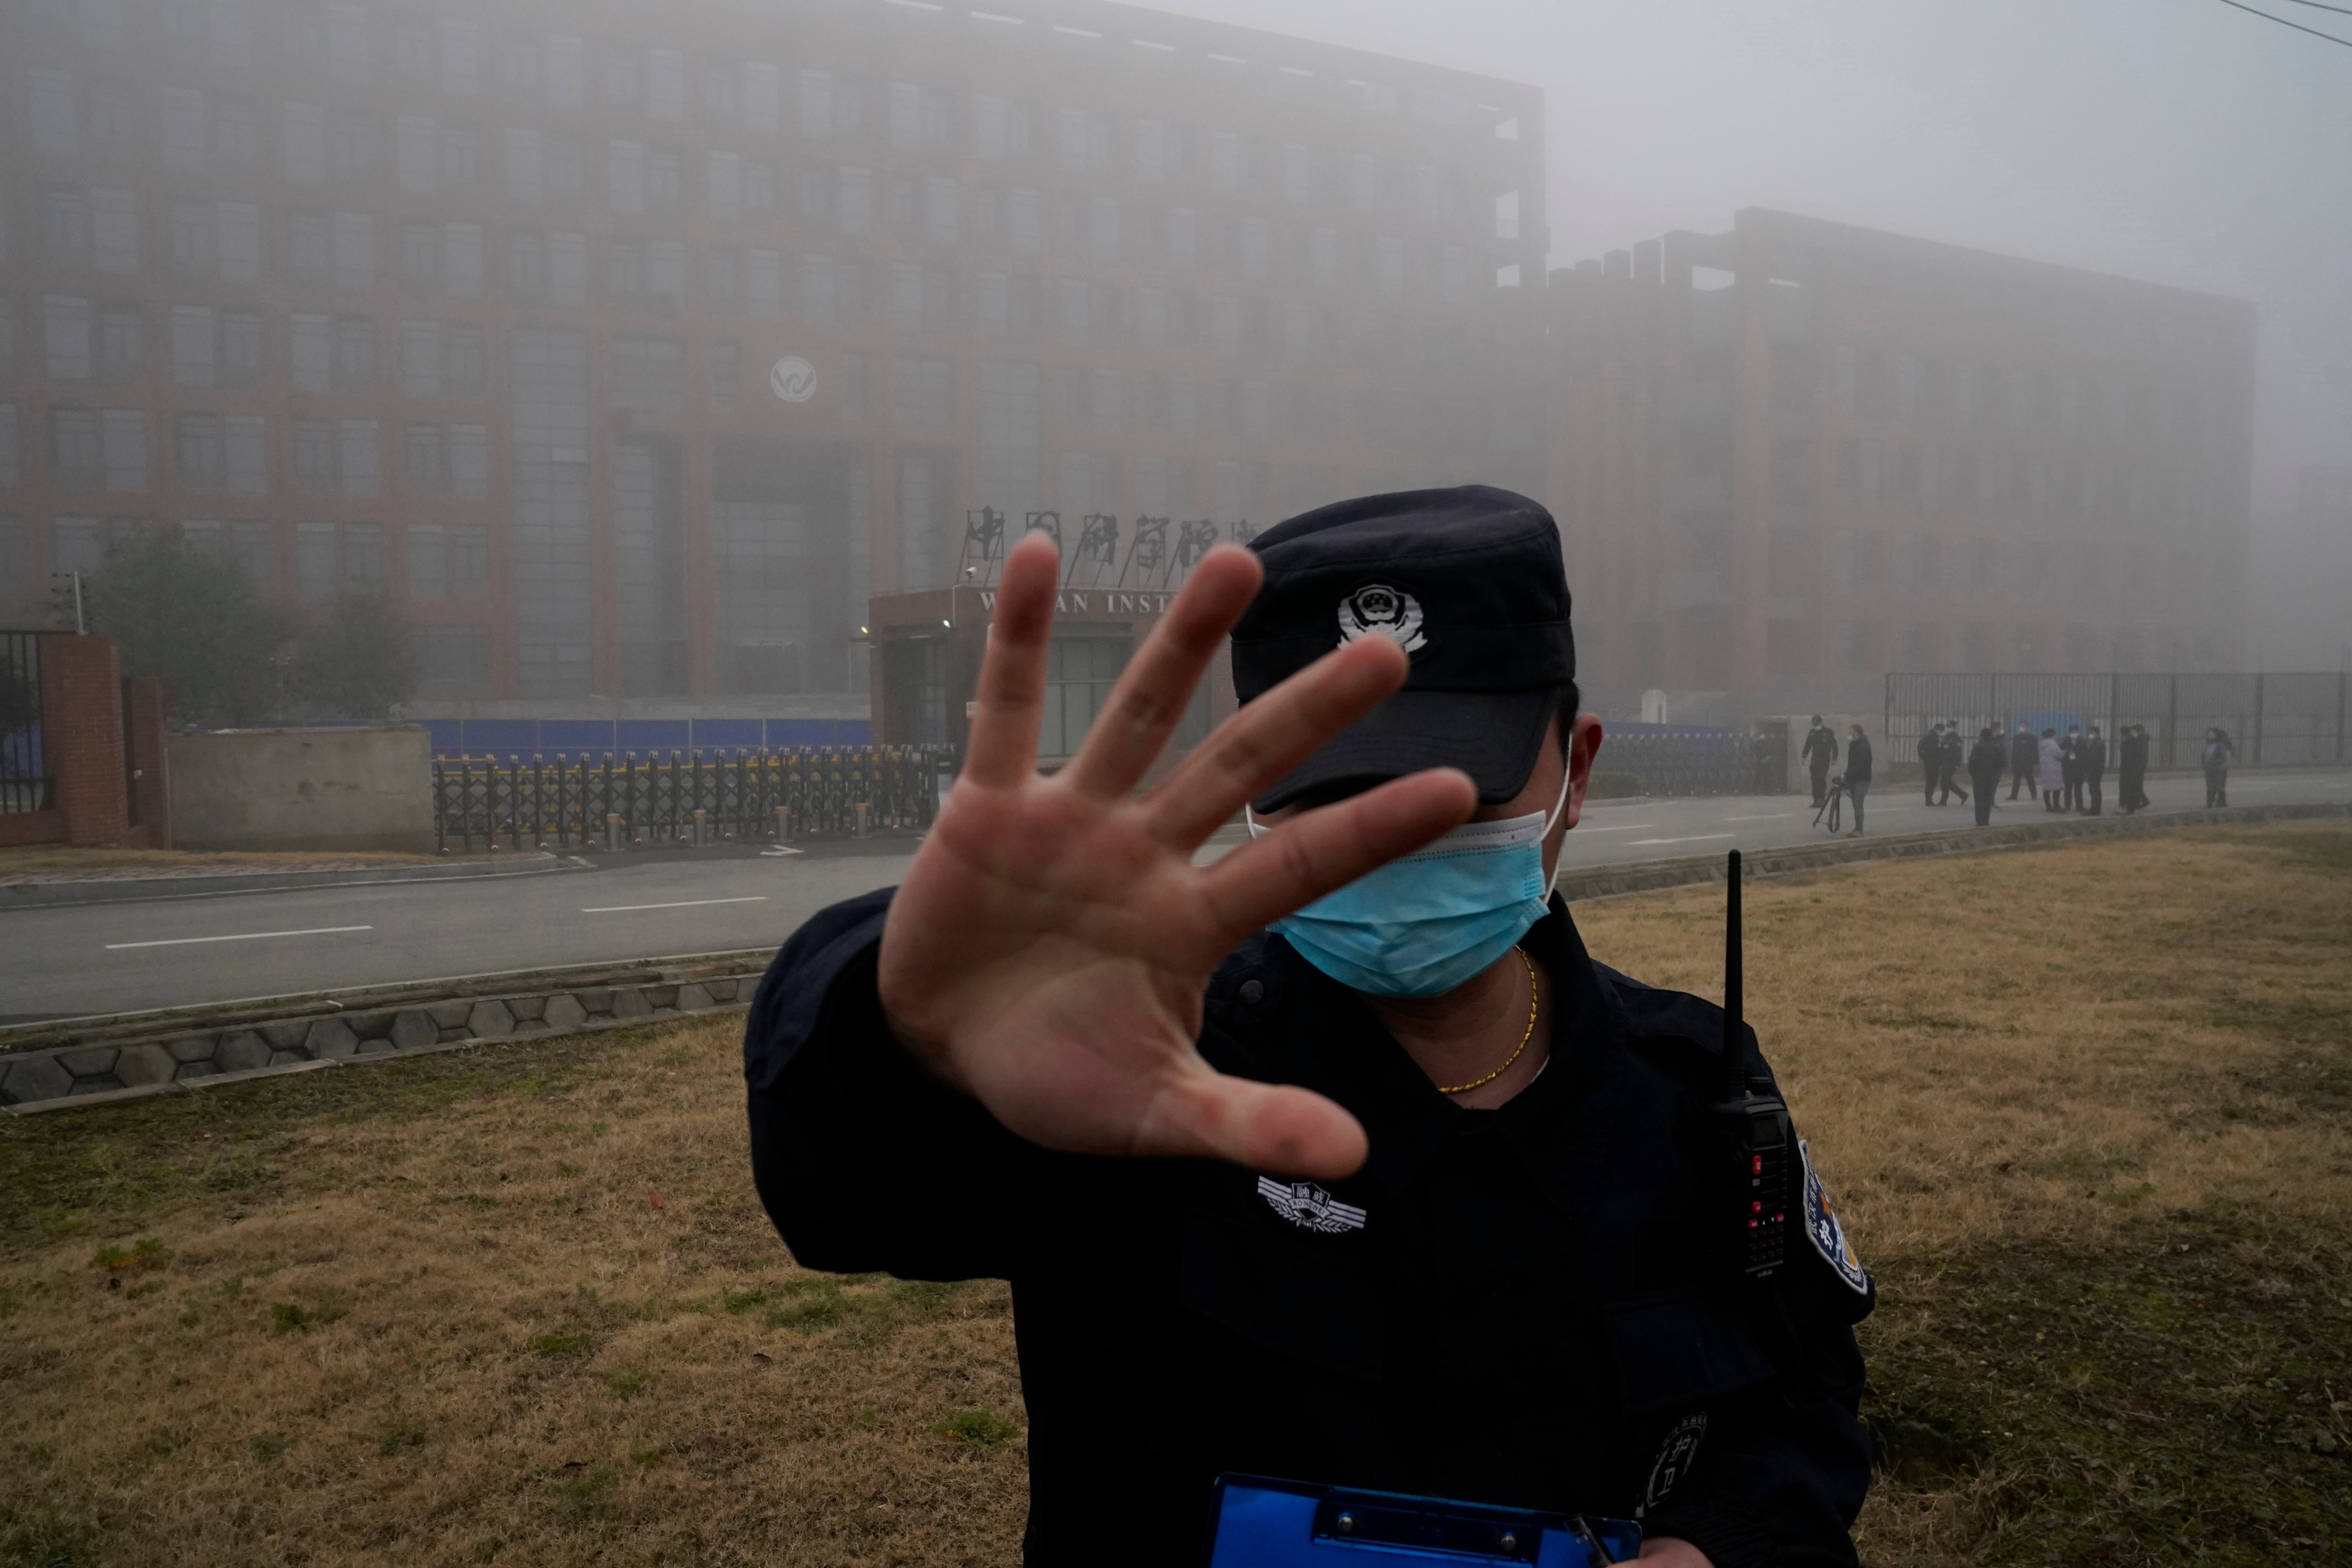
(171, 953)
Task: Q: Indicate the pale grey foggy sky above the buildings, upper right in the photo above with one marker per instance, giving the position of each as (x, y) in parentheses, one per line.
(2170, 140)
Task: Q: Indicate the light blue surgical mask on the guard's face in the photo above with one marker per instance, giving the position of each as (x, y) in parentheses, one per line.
(1429, 923)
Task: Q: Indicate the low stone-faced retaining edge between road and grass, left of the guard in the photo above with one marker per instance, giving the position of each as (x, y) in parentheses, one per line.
(234, 1054)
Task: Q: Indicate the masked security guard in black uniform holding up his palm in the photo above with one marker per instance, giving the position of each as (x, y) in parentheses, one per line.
(1403, 1193)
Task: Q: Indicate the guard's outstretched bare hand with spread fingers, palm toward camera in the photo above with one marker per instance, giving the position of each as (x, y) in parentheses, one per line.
(1053, 942)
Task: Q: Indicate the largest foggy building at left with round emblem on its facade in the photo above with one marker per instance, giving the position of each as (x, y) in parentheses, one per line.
(634, 351)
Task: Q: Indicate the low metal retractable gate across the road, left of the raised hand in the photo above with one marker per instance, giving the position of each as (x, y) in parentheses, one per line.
(686, 798)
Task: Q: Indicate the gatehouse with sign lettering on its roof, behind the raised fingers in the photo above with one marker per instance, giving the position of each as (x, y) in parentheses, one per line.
(1118, 579)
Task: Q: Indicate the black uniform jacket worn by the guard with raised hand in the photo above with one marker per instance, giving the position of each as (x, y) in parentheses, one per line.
(1516, 1306)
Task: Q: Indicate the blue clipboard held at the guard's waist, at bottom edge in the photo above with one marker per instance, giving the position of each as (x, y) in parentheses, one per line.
(1257, 1522)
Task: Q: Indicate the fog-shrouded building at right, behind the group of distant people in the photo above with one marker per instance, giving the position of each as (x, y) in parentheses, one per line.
(1798, 455)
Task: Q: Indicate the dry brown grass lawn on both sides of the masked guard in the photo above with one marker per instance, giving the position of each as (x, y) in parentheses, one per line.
(432, 1313)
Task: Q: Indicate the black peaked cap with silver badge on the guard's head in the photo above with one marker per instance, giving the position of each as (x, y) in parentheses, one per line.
(1469, 582)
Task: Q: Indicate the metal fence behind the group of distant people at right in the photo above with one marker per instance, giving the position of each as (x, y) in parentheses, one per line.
(2276, 721)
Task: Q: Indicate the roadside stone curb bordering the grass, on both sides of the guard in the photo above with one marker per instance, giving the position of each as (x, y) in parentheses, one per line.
(135, 1057)
